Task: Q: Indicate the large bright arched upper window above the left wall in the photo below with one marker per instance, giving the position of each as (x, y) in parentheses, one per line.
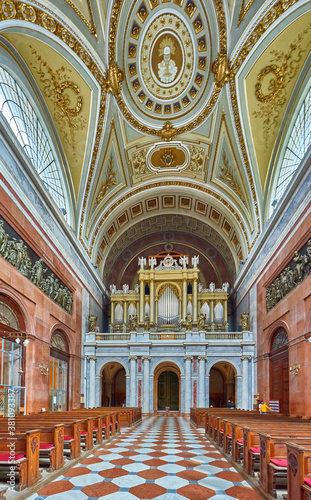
(26, 126)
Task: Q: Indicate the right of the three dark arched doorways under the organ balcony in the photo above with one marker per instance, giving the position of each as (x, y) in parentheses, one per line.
(222, 384)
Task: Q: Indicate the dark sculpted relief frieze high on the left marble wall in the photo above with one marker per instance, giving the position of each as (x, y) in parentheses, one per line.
(19, 255)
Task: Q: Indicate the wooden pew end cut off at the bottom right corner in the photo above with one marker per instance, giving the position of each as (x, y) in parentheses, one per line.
(298, 471)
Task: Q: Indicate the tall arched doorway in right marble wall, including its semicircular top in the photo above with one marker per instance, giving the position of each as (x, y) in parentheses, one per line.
(279, 370)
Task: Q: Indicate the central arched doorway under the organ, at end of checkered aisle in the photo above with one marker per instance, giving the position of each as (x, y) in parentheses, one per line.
(167, 387)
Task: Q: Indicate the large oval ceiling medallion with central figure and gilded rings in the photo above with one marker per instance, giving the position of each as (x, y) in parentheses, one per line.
(167, 57)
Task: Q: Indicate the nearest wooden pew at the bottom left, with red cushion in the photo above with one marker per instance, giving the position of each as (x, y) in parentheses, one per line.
(26, 451)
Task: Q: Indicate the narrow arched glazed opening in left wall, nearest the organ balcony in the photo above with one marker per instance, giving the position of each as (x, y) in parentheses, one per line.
(58, 373)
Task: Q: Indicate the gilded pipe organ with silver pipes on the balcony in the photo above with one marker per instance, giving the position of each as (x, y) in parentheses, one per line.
(168, 295)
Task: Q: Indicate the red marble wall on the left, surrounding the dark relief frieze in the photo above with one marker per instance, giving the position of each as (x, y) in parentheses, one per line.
(41, 316)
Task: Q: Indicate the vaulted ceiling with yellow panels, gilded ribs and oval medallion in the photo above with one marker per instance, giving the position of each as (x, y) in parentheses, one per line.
(167, 113)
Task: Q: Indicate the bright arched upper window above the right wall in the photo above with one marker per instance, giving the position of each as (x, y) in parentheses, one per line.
(296, 148)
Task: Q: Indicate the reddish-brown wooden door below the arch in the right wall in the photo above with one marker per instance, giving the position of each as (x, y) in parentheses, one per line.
(279, 379)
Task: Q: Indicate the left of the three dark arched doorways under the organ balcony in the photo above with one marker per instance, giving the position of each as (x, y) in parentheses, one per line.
(113, 385)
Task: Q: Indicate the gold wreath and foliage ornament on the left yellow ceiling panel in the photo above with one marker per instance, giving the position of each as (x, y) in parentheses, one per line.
(66, 112)
